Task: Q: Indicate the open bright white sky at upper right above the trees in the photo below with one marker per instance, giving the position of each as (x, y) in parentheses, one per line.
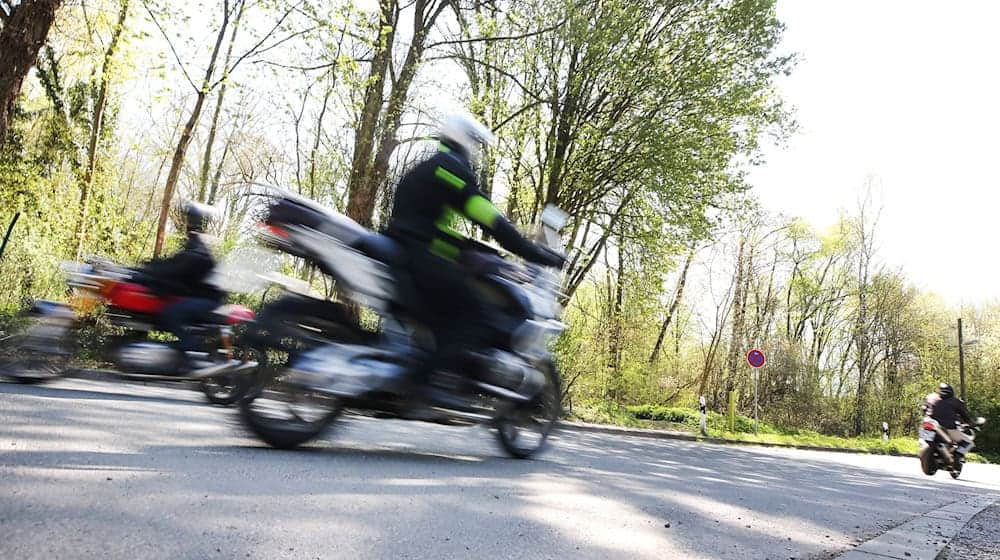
(905, 92)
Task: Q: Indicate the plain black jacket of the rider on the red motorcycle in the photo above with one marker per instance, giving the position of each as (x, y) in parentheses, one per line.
(186, 272)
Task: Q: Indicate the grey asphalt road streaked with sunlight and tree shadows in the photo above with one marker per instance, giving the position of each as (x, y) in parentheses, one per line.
(104, 470)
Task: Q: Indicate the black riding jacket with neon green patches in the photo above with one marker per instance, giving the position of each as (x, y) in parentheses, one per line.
(432, 195)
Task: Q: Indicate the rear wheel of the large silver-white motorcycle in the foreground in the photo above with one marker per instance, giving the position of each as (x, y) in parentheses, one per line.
(285, 416)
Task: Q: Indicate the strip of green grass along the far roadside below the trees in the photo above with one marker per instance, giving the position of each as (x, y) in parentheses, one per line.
(687, 420)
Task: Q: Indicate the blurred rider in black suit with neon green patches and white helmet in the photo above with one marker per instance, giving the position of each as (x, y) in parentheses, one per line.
(428, 202)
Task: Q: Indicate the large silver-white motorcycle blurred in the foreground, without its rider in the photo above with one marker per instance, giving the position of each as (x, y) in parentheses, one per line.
(511, 386)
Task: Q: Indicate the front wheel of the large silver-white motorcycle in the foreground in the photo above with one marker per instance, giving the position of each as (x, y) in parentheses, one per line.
(524, 429)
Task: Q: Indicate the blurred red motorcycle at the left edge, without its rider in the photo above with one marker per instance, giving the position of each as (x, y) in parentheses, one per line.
(44, 349)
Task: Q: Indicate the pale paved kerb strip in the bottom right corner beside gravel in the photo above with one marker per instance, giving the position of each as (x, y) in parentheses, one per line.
(924, 536)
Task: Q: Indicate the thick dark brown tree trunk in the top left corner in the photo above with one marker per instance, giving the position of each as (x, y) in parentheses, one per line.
(23, 34)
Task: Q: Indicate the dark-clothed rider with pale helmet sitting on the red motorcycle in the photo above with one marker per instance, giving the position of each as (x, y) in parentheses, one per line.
(184, 275)
